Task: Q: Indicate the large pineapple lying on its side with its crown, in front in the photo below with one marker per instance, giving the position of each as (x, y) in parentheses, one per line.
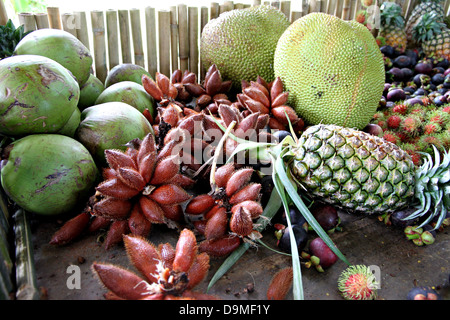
(360, 172)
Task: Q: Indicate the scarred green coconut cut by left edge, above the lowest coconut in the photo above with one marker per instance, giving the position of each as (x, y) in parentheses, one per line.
(37, 95)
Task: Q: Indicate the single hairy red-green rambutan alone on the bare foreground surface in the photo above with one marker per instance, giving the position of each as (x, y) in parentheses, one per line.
(358, 283)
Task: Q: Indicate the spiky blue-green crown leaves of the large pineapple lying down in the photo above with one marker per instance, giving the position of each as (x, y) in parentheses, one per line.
(433, 188)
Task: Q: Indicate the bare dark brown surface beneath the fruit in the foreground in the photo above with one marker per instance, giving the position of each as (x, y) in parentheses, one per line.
(363, 240)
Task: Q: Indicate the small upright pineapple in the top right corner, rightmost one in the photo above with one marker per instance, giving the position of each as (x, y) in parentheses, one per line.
(433, 35)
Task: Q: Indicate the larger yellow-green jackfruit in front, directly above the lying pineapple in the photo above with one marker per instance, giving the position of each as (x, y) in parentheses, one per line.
(333, 70)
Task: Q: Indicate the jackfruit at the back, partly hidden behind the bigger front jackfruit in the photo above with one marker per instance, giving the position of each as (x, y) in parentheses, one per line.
(241, 43)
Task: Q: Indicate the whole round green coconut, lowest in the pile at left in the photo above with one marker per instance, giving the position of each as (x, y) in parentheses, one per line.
(48, 174)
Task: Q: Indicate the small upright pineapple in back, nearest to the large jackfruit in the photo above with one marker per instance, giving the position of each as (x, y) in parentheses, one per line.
(392, 25)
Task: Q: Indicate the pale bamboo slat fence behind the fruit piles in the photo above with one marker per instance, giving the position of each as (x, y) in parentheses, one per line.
(166, 40)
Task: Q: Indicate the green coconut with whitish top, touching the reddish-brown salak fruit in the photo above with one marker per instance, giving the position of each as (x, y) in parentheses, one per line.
(110, 125)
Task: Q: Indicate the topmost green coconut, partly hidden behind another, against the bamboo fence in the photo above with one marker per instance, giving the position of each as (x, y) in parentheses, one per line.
(61, 46)
